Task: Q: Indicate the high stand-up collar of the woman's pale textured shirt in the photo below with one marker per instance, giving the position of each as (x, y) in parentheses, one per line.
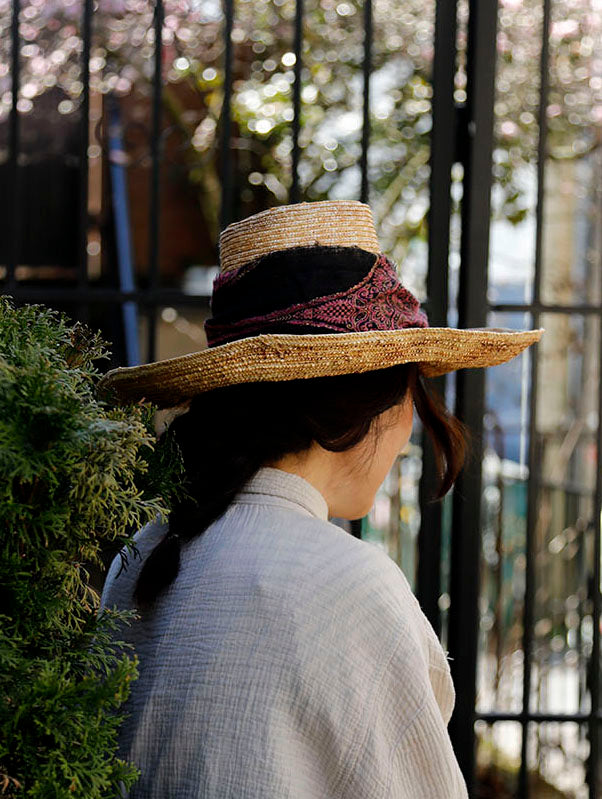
(270, 482)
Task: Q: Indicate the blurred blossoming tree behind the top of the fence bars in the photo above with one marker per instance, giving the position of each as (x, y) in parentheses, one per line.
(192, 53)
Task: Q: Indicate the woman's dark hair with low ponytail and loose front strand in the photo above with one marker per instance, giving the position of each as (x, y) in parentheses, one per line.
(229, 433)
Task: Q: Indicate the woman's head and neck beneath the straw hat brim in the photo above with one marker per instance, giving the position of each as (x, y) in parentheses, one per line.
(341, 434)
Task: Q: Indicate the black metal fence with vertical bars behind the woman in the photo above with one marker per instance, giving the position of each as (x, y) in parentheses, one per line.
(462, 133)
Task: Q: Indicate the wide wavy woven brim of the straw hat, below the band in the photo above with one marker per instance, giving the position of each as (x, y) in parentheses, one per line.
(277, 357)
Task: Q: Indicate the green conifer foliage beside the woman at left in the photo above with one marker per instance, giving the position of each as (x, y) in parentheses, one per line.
(74, 474)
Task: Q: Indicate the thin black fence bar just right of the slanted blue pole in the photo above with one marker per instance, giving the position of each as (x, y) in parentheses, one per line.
(156, 148)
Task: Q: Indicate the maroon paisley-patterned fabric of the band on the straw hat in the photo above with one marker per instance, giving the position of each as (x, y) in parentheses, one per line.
(377, 302)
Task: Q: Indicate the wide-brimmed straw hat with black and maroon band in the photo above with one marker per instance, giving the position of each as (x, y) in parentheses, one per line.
(304, 291)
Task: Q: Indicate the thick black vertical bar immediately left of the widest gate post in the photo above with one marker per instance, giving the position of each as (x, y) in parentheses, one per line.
(428, 578)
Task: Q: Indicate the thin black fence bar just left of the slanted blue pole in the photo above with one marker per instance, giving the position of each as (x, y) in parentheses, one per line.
(83, 311)
